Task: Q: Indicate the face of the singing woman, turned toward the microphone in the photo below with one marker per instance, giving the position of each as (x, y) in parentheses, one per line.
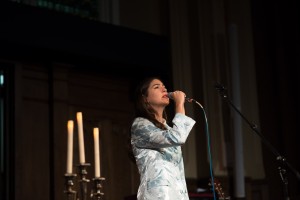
(157, 94)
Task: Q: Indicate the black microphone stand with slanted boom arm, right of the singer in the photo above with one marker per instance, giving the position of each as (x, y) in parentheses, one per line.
(281, 160)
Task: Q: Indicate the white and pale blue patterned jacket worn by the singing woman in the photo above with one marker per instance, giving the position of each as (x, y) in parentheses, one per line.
(159, 158)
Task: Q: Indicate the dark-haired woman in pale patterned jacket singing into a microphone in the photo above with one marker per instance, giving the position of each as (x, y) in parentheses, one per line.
(156, 146)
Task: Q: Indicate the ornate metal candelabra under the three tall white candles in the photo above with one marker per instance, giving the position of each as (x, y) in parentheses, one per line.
(96, 191)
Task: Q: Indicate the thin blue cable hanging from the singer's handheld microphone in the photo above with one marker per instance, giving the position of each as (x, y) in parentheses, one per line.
(208, 146)
